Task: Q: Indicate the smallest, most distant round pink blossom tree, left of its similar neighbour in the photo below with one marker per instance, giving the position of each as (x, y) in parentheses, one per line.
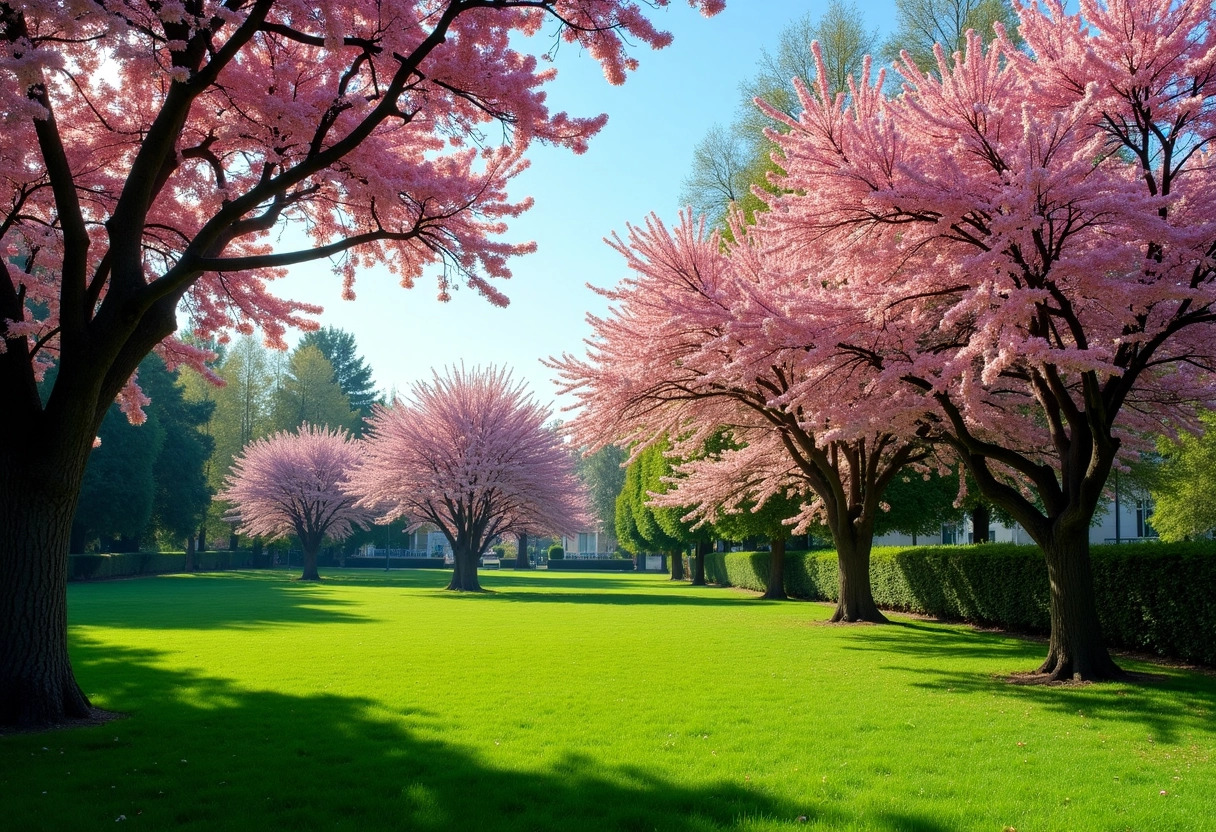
(292, 484)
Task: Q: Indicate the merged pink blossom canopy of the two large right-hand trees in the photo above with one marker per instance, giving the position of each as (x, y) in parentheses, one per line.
(1012, 257)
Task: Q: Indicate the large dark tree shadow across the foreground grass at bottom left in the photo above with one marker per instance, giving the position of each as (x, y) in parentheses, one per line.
(226, 758)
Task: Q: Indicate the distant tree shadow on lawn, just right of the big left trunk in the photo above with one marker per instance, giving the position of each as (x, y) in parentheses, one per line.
(251, 600)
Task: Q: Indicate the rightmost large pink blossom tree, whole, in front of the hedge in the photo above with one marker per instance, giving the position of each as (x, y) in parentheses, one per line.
(1026, 238)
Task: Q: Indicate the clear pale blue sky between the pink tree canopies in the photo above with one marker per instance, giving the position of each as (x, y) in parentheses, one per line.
(635, 166)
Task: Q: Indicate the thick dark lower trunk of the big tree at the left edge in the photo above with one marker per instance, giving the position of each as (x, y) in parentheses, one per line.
(38, 501)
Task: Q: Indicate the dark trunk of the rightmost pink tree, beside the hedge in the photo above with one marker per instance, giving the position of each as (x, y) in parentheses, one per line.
(1077, 650)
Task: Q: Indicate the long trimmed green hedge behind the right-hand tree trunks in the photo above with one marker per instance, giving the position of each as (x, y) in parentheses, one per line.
(1156, 598)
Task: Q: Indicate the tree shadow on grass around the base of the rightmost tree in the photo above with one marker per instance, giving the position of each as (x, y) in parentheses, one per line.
(1168, 702)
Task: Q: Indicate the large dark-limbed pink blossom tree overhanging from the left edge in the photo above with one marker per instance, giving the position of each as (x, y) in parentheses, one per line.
(154, 153)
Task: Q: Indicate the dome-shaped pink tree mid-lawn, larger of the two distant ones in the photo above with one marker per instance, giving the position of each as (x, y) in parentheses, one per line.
(470, 454)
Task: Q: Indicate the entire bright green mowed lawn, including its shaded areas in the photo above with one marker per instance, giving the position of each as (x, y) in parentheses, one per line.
(584, 702)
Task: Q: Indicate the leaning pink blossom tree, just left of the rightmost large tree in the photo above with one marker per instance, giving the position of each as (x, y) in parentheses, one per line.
(686, 352)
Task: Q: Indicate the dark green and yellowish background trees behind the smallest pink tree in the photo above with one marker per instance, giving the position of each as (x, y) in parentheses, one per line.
(153, 486)
